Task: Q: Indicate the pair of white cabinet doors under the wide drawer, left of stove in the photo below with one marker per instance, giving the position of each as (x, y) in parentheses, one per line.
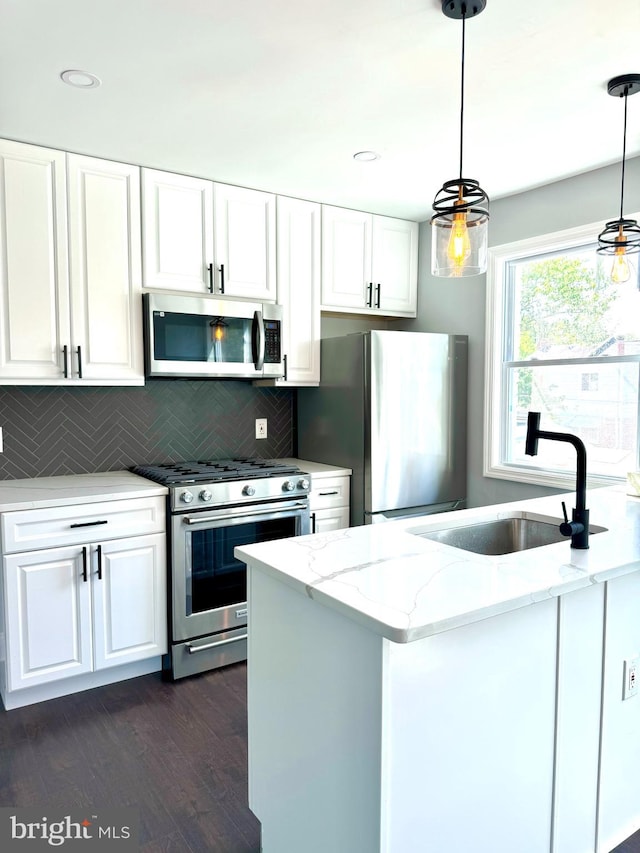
(84, 608)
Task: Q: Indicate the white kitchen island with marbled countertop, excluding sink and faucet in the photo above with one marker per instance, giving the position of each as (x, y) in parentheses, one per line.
(408, 696)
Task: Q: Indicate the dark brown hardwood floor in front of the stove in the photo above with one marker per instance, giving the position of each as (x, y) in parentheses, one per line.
(176, 752)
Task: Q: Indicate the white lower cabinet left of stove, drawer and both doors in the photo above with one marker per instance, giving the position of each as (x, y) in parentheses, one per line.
(90, 604)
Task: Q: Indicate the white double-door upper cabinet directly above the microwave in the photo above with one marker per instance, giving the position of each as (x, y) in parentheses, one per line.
(207, 238)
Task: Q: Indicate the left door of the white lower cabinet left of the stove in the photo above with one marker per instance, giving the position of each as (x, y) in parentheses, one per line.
(48, 616)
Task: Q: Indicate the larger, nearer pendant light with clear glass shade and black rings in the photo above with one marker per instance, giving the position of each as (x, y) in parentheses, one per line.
(459, 223)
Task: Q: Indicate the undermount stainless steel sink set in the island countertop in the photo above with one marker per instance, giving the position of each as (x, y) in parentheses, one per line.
(504, 535)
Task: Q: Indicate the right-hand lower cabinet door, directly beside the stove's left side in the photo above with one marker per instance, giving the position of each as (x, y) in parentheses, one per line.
(129, 599)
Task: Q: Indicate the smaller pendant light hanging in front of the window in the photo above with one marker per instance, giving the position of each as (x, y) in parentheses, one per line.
(621, 237)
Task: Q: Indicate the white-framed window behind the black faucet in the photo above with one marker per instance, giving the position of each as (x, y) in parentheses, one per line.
(564, 340)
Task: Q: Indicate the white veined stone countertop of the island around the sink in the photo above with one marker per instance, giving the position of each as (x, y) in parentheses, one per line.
(405, 587)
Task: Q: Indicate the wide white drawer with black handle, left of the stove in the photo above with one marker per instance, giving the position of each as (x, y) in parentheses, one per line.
(28, 530)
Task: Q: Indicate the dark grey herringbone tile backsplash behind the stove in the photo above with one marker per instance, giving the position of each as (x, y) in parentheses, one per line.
(51, 430)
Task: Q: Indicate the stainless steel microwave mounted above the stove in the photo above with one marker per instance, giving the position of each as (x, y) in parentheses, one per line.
(200, 336)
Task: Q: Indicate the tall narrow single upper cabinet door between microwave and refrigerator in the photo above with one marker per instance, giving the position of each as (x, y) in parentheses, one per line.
(299, 289)
